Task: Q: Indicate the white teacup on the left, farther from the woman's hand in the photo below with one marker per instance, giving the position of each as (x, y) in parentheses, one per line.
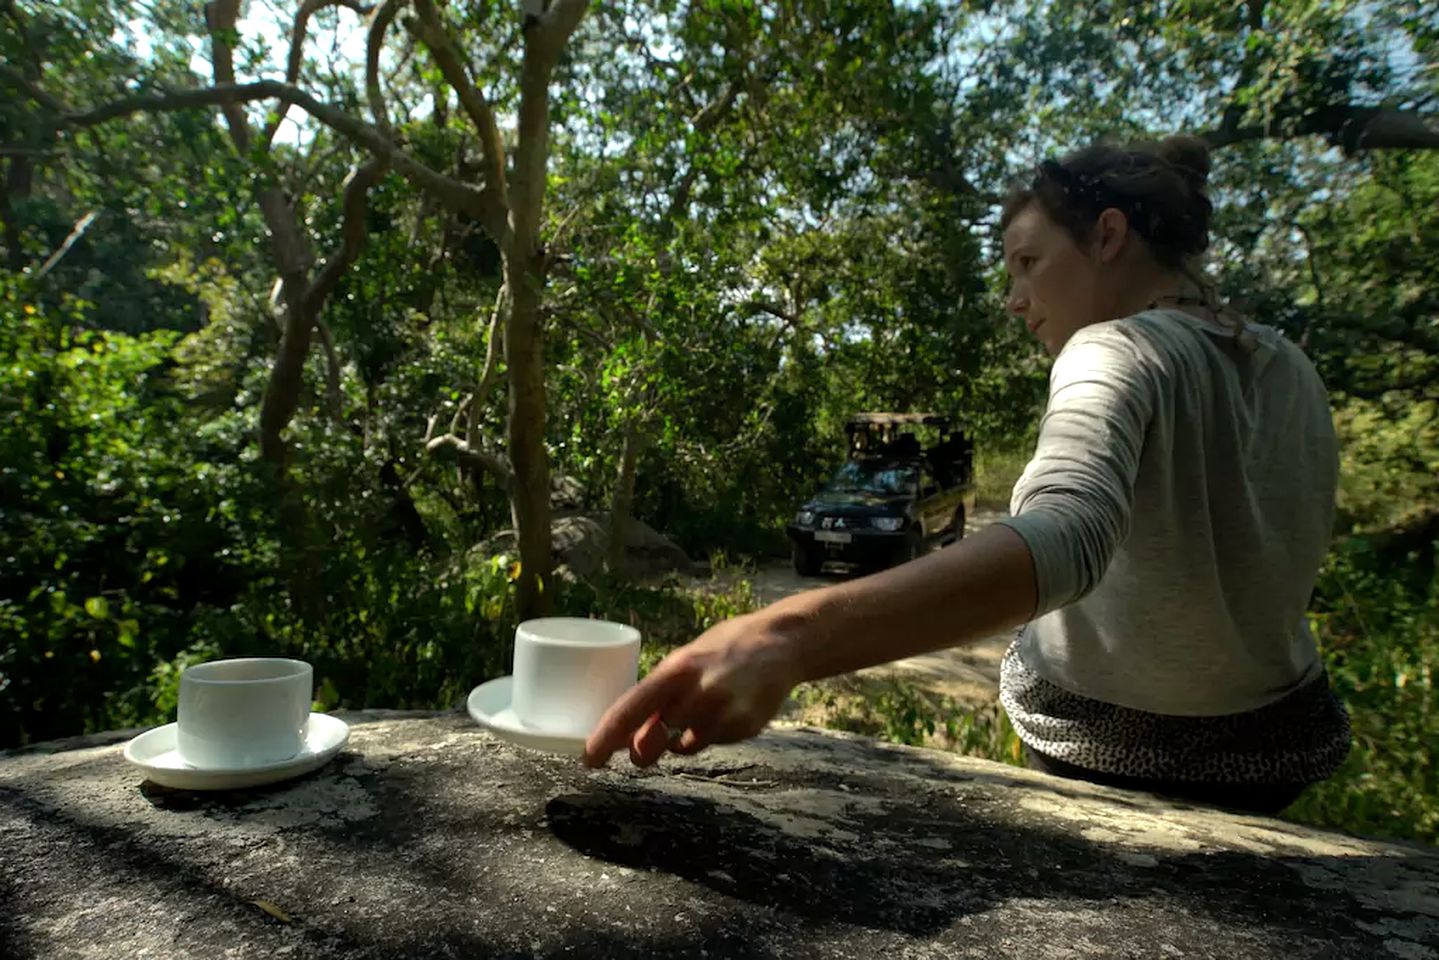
(244, 713)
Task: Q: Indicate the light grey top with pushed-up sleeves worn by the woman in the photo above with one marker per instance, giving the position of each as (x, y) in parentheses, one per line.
(1179, 506)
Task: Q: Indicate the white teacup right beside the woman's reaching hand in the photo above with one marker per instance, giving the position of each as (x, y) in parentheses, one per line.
(569, 671)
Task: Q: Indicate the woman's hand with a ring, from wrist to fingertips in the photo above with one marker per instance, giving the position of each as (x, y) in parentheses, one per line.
(720, 689)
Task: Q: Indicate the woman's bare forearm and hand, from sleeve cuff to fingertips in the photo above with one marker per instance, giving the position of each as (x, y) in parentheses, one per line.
(730, 683)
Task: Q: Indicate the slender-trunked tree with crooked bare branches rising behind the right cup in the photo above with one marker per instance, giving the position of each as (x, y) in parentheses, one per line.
(509, 205)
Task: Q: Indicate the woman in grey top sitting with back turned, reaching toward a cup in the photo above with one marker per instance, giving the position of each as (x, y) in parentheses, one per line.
(1163, 540)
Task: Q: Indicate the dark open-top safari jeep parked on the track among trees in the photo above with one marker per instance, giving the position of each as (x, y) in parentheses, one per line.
(893, 499)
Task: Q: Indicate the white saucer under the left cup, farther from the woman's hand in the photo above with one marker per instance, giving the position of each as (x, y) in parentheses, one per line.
(155, 753)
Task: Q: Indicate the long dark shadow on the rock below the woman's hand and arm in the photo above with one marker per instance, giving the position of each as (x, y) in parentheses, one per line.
(919, 870)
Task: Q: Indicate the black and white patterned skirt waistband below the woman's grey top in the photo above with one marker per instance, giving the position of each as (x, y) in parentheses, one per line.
(1299, 739)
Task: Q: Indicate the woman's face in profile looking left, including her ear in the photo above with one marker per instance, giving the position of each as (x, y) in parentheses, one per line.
(1057, 287)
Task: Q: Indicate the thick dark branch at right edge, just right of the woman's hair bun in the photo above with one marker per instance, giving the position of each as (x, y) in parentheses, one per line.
(1351, 127)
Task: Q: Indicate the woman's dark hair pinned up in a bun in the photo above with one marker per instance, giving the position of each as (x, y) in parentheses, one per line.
(1159, 186)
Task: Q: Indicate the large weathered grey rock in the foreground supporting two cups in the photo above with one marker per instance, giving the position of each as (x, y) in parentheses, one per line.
(428, 838)
